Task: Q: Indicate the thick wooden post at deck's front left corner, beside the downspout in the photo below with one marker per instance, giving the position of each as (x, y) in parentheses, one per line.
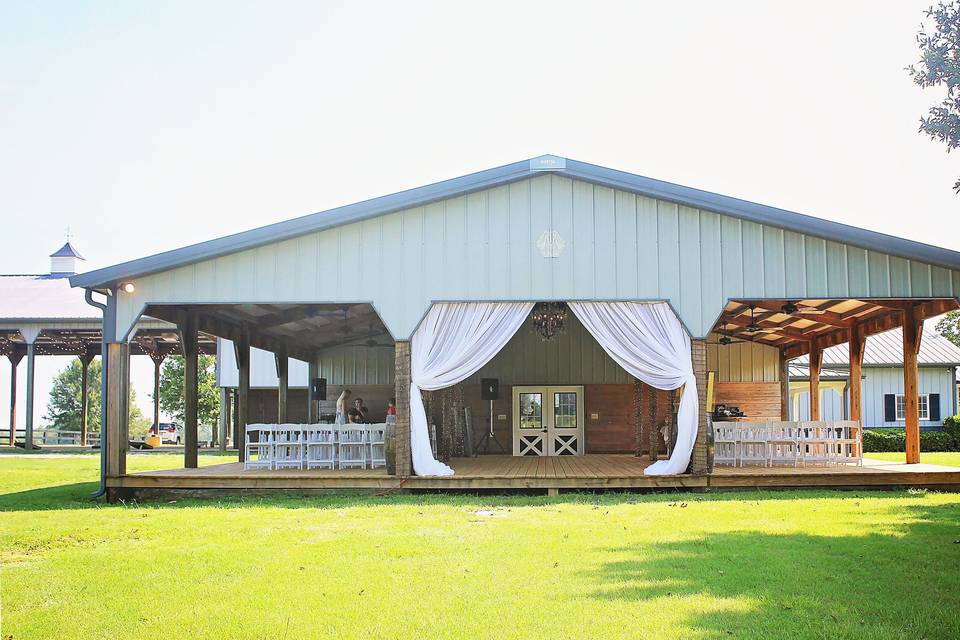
(116, 420)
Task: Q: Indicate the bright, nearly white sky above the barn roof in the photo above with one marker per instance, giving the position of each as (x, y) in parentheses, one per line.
(147, 126)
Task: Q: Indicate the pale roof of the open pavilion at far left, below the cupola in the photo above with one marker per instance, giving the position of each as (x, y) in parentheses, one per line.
(38, 298)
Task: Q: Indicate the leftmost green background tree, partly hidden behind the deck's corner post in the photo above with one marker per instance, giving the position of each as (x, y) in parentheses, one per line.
(63, 407)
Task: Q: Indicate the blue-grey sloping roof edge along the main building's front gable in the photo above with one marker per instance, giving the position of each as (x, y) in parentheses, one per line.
(504, 175)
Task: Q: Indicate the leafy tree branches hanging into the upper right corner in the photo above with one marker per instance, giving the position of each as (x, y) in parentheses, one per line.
(939, 65)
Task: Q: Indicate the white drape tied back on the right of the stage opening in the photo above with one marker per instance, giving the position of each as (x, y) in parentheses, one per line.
(648, 341)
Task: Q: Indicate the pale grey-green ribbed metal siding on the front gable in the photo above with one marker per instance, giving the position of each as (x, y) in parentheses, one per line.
(482, 246)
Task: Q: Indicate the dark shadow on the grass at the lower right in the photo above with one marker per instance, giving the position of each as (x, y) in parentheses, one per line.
(899, 583)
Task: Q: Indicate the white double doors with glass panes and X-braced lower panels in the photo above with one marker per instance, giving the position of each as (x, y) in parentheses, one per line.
(548, 421)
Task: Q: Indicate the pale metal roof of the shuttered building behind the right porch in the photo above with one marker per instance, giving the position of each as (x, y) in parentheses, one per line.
(886, 349)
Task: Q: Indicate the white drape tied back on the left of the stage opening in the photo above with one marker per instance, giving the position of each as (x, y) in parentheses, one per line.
(452, 343)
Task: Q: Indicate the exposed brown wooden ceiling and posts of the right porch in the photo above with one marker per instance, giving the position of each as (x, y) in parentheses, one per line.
(807, 327)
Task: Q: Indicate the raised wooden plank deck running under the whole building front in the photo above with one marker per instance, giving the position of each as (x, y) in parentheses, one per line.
(568, 473)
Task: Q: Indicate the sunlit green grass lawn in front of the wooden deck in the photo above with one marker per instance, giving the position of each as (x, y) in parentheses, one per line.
(732, 565)
